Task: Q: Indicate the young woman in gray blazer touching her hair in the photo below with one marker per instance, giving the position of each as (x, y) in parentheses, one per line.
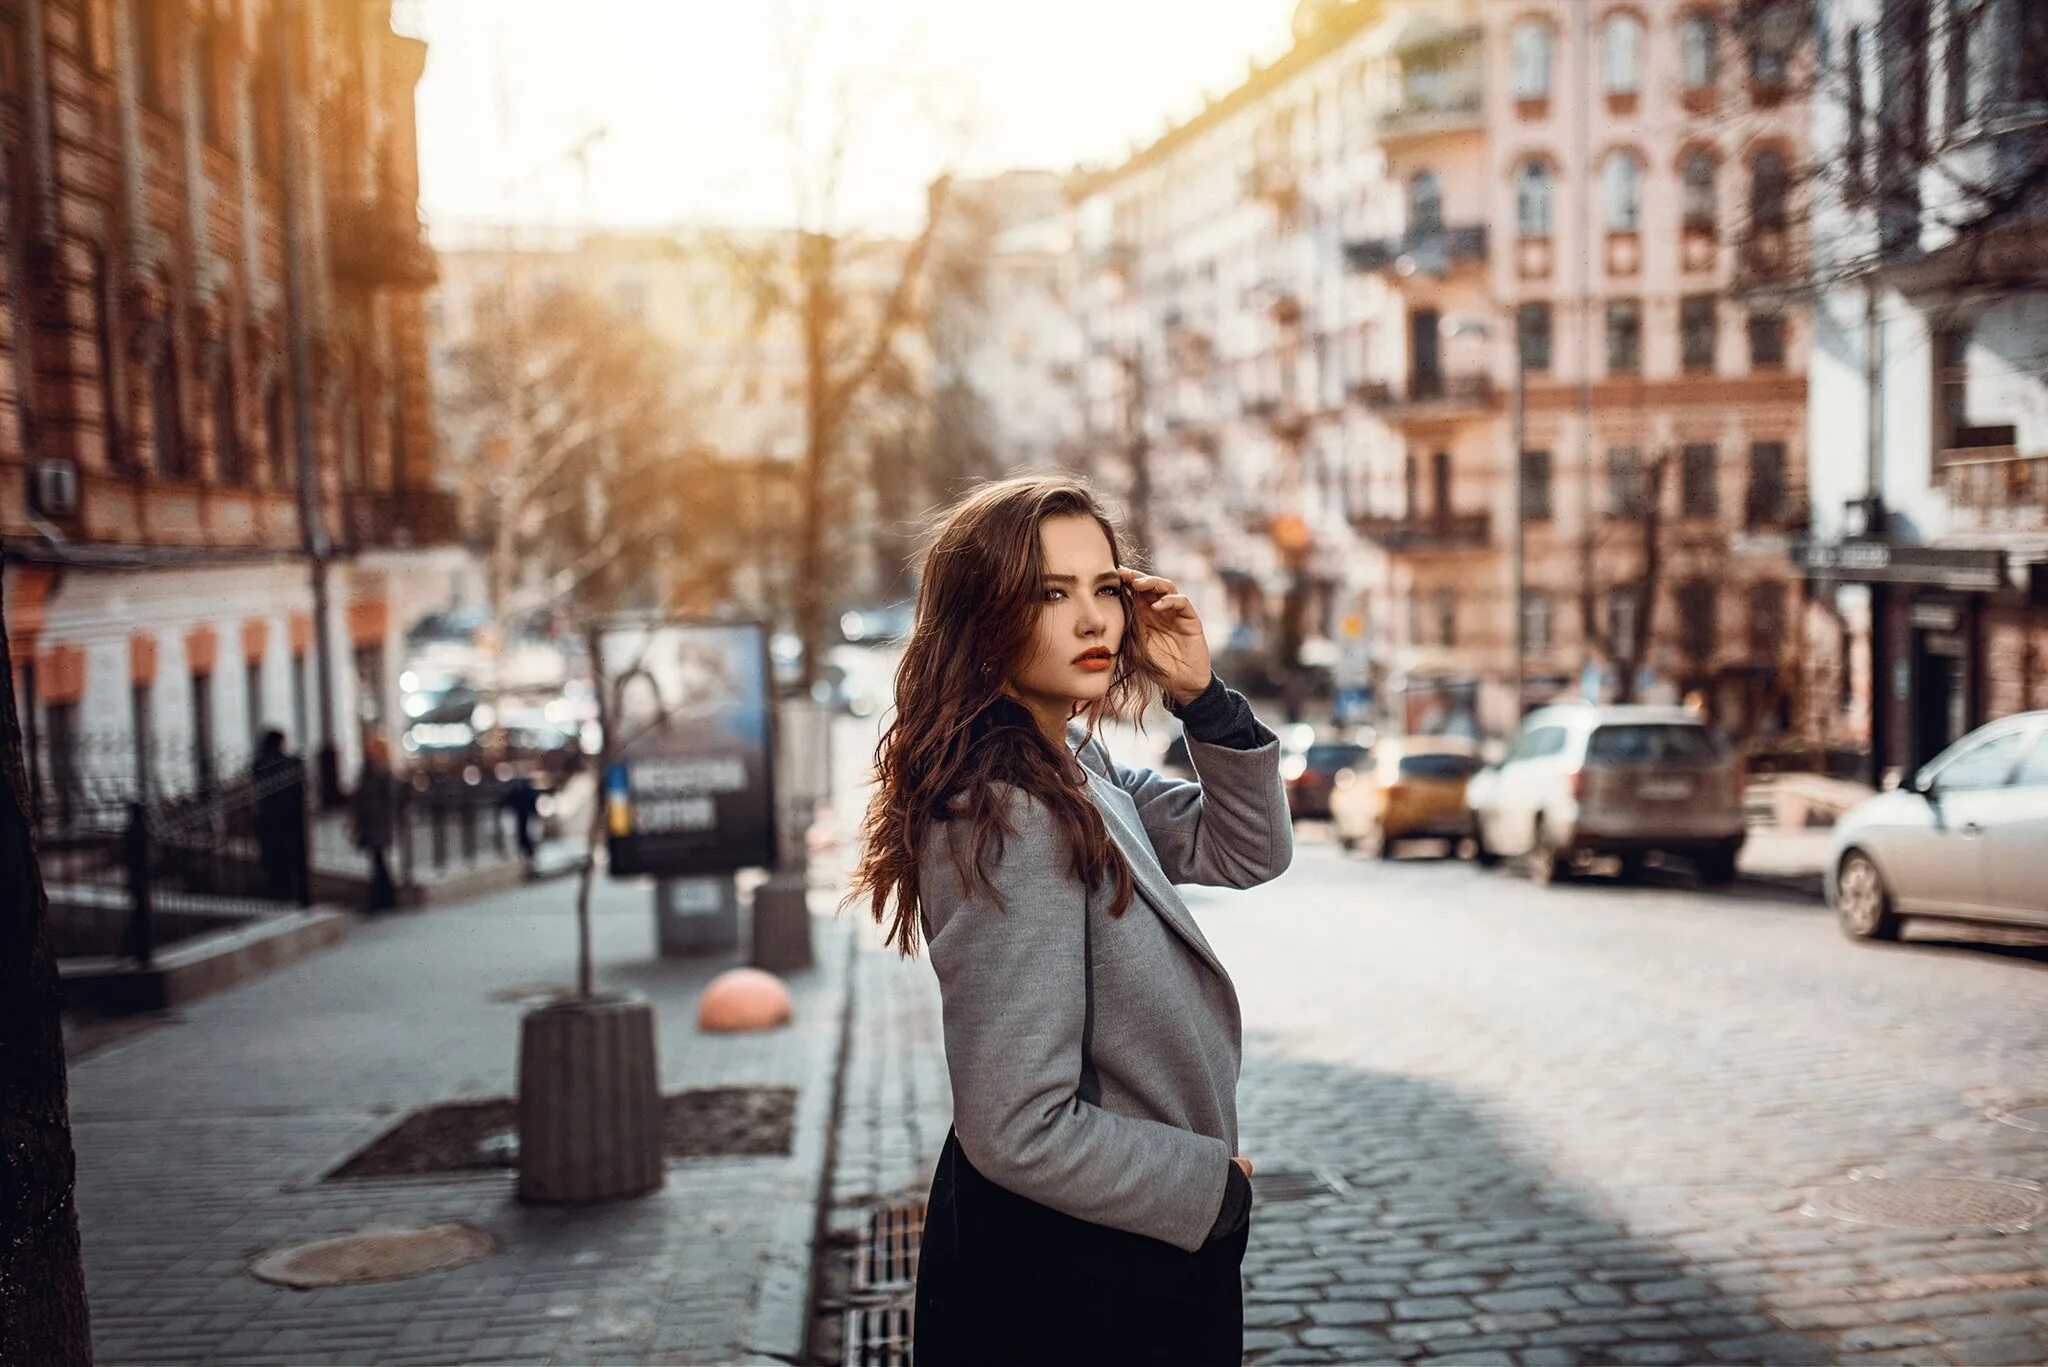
(1091, 1202)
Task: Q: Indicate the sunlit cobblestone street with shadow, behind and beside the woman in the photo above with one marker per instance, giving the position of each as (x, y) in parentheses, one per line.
(1576, 1124)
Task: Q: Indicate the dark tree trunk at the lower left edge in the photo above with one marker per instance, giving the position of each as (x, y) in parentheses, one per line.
(42, 1278)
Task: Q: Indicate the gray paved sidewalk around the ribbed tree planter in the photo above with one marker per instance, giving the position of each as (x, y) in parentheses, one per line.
(202, 1145)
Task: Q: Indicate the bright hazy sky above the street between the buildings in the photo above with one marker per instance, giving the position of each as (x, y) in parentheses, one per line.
(693, 97)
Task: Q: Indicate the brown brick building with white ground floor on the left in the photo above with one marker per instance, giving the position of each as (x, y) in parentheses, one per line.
(218, 487)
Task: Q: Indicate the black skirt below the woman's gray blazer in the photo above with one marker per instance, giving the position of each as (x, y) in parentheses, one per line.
(1005, 1280)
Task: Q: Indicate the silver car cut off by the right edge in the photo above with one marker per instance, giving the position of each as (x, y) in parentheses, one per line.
(1967, 837)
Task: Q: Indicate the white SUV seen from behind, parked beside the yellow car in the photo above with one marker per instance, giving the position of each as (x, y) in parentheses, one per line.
(1625, 782)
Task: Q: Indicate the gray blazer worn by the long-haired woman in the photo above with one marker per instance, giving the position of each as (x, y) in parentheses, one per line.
(1144, 1141)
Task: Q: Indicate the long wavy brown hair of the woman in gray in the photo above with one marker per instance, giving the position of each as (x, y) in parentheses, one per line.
(957, 733)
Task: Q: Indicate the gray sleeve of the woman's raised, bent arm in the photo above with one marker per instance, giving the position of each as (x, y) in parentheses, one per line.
(1228, 829)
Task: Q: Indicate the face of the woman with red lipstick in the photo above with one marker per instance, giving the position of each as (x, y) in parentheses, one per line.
(1080, 618)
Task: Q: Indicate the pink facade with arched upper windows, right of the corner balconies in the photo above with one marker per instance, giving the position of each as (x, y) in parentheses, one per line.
(1641, 183)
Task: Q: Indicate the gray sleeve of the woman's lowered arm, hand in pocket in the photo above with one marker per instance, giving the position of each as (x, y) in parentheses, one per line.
(1015, 997)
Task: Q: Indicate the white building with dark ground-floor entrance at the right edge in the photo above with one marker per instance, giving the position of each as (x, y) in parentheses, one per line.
(1930, 372)
